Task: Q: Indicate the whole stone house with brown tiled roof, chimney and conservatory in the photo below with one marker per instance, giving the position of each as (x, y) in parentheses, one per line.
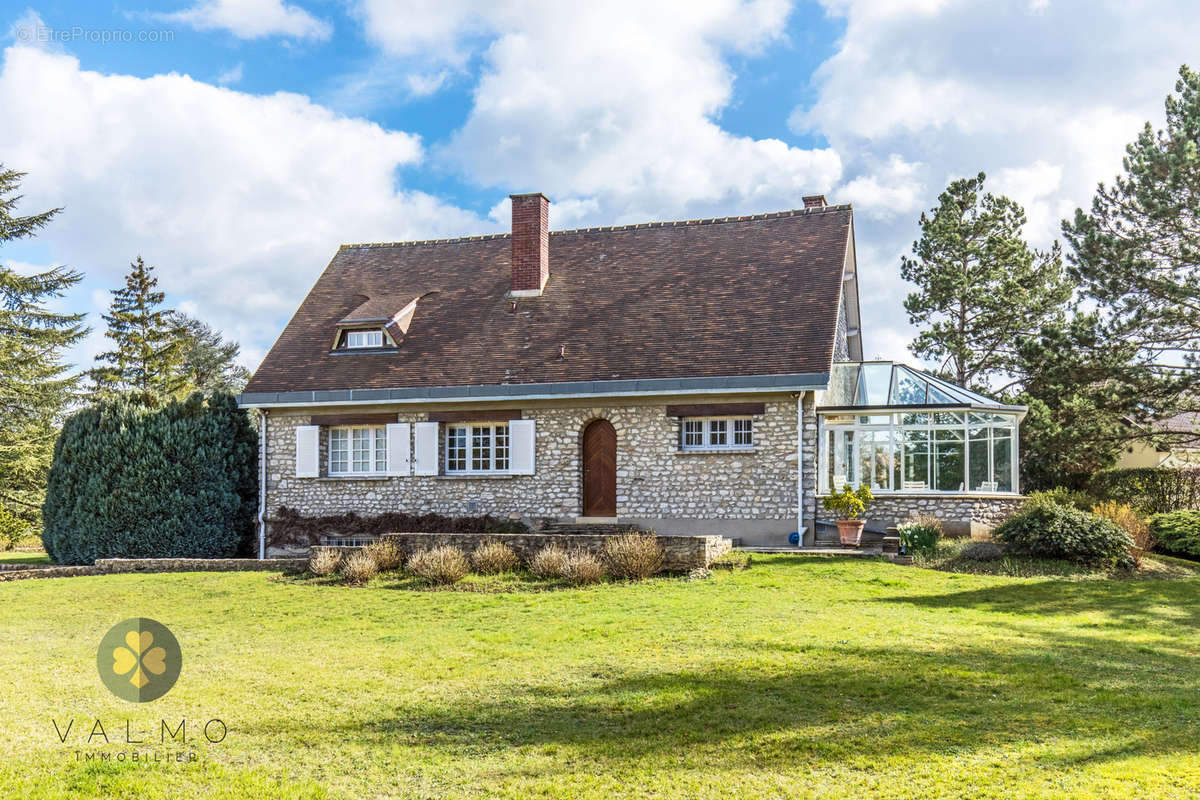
(685, 377)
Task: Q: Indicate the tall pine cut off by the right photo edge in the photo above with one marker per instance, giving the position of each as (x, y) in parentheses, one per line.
(1138, 252)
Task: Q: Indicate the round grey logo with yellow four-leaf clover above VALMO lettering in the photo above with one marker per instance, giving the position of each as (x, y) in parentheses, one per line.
(140, 660)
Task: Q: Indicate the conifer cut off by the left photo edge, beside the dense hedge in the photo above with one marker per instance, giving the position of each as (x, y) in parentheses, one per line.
(35, 387)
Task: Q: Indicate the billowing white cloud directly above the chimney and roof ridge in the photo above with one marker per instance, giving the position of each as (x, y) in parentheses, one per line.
(610, 109)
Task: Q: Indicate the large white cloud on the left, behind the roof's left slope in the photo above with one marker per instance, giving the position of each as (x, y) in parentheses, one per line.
(238, 200)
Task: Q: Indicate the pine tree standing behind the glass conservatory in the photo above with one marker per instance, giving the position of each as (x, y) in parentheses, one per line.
(981, 287)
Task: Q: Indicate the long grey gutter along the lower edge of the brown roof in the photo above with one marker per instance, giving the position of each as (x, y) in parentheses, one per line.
(505, 393)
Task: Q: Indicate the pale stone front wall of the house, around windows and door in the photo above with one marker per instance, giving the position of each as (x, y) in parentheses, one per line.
(659, 486)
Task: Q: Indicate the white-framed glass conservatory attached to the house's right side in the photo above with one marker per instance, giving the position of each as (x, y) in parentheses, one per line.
(899, 430)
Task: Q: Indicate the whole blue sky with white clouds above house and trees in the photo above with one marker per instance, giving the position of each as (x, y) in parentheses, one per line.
(236, 143)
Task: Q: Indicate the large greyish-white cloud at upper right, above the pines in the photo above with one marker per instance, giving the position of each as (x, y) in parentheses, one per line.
(1041, 97)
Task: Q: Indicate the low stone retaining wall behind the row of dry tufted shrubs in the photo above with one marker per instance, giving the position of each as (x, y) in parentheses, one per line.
(682, 554)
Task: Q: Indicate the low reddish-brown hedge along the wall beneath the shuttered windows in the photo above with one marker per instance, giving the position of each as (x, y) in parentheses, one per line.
(291, 528)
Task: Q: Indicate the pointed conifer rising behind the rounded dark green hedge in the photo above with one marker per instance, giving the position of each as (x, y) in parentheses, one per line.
(148, 360)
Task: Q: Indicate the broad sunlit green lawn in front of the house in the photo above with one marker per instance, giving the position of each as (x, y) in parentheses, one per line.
(795, 678)
